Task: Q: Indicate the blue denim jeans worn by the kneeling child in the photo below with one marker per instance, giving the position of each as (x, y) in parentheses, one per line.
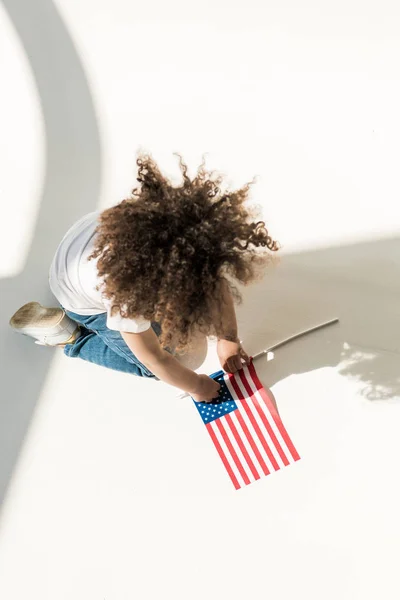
(105, 347)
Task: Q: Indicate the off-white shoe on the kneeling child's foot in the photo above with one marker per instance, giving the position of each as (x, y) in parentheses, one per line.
(48, 326)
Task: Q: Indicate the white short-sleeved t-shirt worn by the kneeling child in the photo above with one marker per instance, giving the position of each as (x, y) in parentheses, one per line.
(73, 279)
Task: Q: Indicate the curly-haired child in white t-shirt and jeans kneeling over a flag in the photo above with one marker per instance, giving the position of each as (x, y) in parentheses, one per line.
(135, 281)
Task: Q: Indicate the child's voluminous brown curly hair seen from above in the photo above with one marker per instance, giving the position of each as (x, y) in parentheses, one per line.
(165, 251)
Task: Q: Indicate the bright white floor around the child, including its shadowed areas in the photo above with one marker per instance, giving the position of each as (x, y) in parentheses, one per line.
(112, 488)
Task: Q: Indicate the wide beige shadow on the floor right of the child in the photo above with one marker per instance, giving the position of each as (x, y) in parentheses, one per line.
(359, 283)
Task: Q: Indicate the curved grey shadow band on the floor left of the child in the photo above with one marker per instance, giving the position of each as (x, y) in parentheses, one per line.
(71, 189)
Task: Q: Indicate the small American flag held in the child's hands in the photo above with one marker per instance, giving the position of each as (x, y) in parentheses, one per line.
(245, 427)
